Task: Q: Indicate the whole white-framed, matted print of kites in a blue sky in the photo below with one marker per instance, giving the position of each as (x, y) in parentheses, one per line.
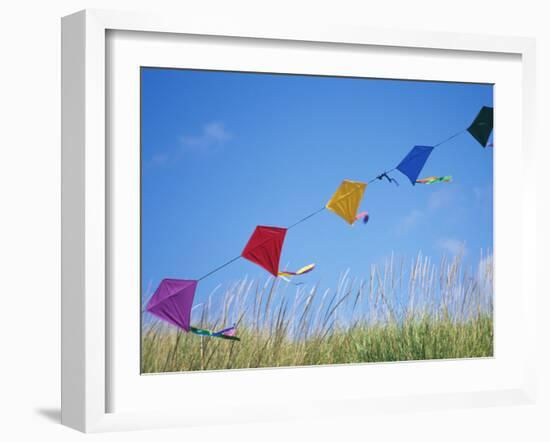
(250, 213)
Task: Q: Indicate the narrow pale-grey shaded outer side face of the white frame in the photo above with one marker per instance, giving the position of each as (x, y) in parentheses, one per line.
(73, 81)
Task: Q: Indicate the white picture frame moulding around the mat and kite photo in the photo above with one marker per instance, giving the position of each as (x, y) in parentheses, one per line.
(86, 207)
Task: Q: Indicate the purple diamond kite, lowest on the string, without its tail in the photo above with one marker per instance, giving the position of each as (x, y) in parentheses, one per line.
(172, 301)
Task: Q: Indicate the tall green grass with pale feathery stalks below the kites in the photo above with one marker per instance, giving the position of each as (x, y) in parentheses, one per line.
(400, 311)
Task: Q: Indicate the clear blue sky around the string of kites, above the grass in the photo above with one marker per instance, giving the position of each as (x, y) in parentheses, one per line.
(223, 152)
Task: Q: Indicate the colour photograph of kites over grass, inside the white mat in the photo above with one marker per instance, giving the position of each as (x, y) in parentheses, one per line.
(291, 220)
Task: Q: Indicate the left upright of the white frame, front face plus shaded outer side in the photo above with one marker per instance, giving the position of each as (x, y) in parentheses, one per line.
(83, 345)
